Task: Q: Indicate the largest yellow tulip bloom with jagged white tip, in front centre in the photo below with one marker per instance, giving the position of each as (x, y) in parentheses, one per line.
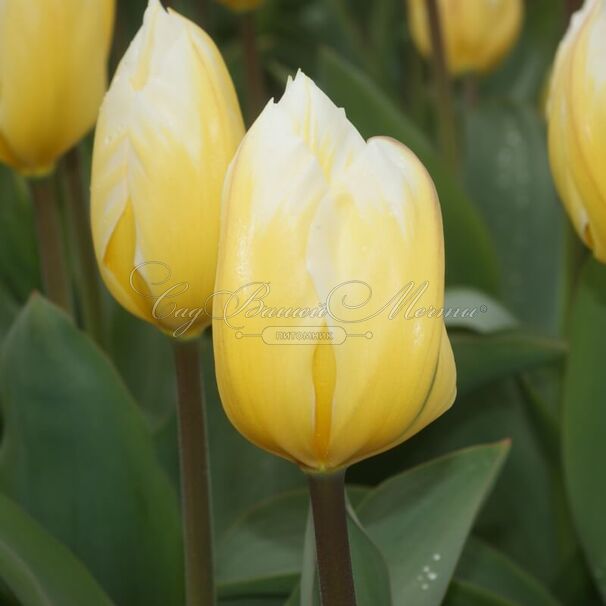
(313, 214)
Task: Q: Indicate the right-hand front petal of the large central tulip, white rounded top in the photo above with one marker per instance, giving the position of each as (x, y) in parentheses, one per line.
(382, 211)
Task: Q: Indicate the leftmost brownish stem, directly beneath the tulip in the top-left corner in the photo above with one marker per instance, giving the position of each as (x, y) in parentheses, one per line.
(50, 242)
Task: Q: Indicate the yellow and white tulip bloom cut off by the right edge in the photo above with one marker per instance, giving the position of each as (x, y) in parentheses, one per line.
(576, 114)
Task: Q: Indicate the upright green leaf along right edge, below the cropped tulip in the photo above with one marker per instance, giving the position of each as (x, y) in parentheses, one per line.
(584, 418)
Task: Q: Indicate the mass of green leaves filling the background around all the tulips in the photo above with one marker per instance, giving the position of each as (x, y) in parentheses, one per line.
(89, 433)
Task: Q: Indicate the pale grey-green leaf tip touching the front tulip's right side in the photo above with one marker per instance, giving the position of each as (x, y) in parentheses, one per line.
(474, 310)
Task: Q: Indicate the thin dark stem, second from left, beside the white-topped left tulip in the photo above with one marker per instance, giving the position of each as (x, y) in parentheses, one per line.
(88, 283)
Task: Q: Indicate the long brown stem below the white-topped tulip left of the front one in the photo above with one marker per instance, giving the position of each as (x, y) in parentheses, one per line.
(195, 477)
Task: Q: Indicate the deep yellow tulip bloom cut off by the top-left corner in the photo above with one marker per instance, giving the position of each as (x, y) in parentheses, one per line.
(53, 74)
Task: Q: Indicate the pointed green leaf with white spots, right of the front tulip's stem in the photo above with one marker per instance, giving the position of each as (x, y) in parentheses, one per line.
(421, 518)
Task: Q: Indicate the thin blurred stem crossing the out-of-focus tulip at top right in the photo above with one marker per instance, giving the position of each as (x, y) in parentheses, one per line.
(444, 104)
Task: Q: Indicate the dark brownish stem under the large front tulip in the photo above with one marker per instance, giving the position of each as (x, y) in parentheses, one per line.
(327, 493)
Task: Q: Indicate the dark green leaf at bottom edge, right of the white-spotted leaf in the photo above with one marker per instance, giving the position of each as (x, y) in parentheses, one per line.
(486, 567)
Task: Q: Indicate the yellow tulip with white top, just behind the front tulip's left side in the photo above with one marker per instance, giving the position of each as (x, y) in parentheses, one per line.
(167, 130)
